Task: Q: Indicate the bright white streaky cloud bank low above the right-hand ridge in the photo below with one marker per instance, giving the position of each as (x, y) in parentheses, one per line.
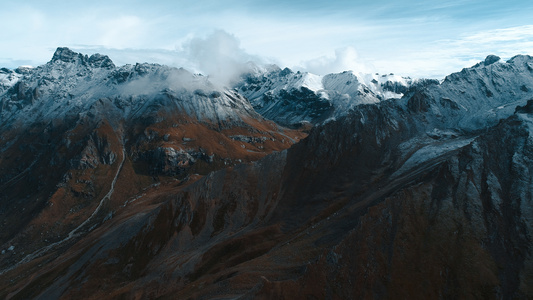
(441, 57)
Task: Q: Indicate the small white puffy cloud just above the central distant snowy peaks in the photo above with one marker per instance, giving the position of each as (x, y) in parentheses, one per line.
(345, 59)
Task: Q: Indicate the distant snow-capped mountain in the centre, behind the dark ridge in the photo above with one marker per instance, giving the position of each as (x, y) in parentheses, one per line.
(291, 98)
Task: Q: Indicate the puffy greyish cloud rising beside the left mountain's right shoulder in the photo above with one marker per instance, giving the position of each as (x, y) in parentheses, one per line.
(218, 55)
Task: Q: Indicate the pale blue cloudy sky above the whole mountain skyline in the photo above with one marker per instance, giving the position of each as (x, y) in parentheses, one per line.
(412, 38)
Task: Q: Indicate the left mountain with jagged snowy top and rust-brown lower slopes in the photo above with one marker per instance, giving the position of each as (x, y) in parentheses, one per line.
(80, 137)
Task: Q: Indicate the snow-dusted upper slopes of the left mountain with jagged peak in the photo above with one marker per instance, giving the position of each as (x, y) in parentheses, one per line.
(72, 83)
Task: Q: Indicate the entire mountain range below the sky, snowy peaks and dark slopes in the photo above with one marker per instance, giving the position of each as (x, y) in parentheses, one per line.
(146, 181)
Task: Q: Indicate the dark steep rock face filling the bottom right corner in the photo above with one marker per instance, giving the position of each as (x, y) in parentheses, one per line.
(455, 220)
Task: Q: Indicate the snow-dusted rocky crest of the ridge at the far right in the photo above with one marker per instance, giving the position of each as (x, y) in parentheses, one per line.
(479, 96)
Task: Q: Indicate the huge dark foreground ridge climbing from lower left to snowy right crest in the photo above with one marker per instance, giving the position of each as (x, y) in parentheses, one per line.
(426, 196)
